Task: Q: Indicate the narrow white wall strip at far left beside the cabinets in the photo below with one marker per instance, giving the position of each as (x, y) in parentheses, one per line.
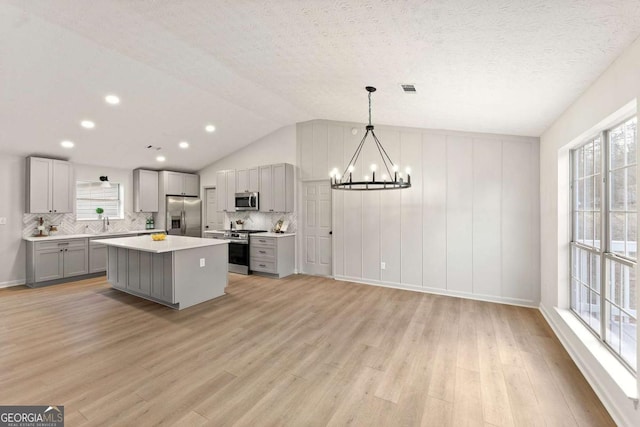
(12, 194)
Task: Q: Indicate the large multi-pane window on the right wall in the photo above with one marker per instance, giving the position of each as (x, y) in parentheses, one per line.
(604, 238)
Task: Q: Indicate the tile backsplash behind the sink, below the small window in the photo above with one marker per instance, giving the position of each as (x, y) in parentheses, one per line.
(67, 223)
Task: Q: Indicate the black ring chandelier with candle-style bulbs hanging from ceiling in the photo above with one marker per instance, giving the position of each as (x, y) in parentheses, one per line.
(392, 180)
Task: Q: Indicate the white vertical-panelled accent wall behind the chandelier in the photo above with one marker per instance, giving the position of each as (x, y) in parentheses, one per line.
(468, 226)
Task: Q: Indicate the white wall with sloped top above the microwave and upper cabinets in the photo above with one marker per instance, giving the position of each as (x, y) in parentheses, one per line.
(277, 147)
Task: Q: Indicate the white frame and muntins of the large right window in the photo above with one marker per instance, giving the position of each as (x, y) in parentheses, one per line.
(604, 251)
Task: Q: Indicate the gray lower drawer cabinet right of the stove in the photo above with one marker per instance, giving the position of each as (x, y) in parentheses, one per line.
(272, 255)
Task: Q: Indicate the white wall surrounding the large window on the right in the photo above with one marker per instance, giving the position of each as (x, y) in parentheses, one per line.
(598, 107)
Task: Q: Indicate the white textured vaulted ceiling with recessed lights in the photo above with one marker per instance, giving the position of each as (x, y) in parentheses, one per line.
(251, 67)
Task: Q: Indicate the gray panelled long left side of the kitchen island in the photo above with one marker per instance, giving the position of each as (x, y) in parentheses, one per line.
(142, 273)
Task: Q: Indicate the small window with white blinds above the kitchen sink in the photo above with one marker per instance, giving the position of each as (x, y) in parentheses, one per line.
(91, 195)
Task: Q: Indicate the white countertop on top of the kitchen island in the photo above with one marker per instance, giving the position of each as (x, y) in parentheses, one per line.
(170, 244)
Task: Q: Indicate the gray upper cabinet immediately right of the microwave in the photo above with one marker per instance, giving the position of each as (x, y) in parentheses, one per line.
(276, 188)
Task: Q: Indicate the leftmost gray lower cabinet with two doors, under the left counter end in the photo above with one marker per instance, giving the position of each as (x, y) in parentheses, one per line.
(55, 260)
